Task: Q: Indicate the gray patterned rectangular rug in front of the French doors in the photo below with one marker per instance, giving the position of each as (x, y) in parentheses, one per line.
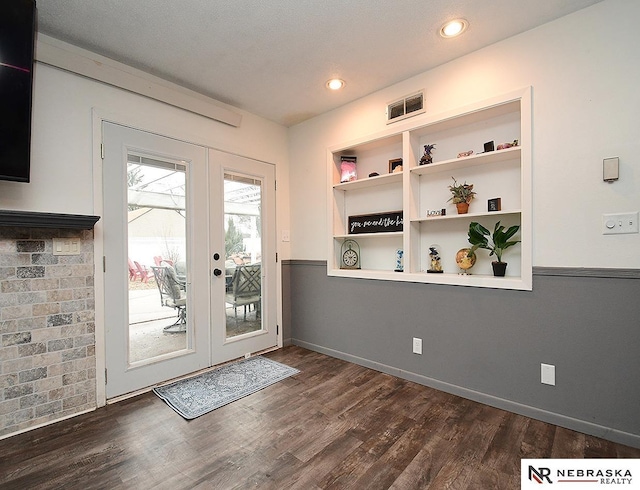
(196, 396)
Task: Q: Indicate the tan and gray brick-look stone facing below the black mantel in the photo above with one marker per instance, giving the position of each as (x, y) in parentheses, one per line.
(47, 341)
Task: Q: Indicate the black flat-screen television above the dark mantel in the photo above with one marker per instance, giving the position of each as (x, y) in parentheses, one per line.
(17, 38)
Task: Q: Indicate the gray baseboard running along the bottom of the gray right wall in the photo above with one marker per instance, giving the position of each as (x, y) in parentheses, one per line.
(583, 426)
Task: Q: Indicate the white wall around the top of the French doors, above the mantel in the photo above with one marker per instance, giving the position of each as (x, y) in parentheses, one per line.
(63, 146)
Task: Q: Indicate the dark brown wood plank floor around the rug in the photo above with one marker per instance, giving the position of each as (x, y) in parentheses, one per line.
(334, 425)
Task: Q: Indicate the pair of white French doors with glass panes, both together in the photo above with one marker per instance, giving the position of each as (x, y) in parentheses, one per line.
(189, 258)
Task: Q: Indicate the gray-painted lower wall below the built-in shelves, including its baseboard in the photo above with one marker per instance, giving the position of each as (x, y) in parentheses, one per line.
(487, 344)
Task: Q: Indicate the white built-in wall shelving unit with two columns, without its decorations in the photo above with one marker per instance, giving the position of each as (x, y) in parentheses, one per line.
(419, 190)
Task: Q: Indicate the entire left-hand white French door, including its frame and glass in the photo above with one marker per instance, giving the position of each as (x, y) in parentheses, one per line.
(155, 202)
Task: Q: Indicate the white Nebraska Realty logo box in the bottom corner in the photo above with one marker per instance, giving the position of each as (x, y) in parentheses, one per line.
(580, 473)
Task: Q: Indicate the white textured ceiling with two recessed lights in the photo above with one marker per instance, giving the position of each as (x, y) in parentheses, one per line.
(273, 57)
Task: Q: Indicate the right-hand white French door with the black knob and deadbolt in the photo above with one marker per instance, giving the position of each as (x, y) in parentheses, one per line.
(243, 255)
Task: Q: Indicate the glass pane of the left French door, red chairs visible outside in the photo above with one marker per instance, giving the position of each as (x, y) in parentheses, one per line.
(157, 252)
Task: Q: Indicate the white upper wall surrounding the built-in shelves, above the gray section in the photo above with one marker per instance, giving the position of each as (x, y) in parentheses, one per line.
(585, 108)
